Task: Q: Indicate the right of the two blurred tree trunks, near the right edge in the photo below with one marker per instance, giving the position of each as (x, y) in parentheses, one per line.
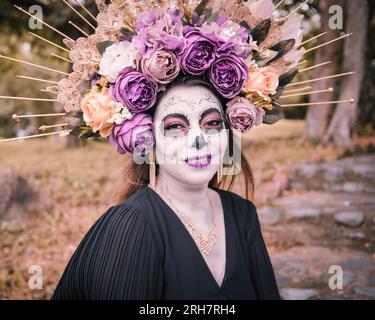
(344, 118)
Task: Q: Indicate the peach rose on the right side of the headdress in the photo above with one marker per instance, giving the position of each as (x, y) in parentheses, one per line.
(261, 80)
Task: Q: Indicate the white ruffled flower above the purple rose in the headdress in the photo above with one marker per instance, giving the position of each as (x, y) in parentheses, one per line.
(117, 57)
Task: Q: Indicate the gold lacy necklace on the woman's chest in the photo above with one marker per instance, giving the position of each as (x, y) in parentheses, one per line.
(206, 241)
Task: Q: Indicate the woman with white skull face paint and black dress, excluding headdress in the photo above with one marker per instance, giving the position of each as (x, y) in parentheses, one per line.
(153, 244)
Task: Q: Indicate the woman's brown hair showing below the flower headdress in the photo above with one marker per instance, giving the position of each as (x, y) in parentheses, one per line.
(135, 176)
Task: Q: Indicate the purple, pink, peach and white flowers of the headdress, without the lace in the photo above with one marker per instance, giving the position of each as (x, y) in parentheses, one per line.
(162, 44)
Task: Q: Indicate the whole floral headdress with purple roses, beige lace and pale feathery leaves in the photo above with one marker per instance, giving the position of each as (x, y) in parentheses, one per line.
(139, 47)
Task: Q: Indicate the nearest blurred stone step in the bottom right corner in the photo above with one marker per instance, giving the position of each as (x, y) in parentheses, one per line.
(304, 272)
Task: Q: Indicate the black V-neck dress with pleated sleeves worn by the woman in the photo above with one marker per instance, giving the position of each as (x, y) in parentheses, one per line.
(140, 249)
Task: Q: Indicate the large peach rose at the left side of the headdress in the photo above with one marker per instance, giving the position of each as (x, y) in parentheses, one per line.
(97, 109)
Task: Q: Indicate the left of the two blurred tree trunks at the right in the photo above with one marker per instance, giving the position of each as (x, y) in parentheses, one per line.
(318, 116)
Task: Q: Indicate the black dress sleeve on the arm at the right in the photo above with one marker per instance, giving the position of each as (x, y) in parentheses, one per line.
(261, 270)
